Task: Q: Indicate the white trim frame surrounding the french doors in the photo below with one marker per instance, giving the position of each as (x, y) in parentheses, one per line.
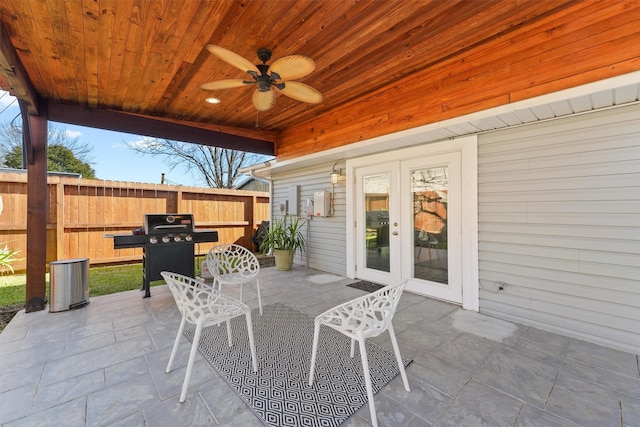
(468, 148)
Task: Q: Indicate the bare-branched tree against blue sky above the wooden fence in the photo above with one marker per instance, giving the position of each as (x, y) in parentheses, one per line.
(215, 167)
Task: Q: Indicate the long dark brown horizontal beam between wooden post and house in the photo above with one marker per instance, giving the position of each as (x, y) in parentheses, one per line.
(224, 137)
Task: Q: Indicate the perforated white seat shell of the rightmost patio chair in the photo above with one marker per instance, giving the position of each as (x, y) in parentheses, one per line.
(368, 315)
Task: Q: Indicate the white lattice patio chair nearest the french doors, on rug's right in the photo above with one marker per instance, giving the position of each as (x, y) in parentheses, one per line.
(364, 317)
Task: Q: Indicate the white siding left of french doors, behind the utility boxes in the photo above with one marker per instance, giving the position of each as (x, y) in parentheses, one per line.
(326, 240)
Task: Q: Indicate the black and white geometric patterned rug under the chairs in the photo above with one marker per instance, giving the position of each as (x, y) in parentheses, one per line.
(279, 393)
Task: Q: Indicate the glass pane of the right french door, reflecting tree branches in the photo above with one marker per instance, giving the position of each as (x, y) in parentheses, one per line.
(430, 189)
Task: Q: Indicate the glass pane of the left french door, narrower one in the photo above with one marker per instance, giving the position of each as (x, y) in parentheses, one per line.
(376, 202)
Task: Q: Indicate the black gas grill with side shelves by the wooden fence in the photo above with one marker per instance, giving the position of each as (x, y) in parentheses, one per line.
(168, 245)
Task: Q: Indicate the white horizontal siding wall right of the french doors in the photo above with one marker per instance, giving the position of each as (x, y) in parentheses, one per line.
(559, 225)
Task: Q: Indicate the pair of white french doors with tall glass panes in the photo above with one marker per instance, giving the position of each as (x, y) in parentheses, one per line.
(408, 224)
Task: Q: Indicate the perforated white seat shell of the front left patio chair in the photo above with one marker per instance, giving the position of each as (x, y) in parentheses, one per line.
(195, 300)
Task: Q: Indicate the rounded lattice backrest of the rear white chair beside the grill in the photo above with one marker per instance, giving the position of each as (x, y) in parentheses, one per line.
(232, 259)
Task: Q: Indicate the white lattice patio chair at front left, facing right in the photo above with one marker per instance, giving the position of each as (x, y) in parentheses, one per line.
(203, 306)
